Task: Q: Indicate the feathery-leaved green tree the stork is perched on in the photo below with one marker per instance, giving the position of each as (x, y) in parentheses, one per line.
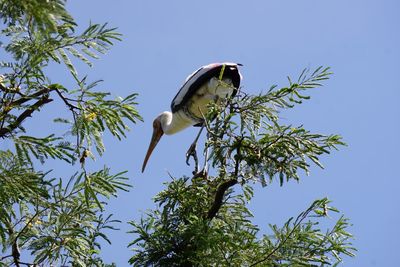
(204, 221)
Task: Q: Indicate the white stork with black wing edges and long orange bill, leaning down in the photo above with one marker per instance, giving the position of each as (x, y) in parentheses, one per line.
(208, 83)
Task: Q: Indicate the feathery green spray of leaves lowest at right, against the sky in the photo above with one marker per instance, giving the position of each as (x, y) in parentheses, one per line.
(303, 243)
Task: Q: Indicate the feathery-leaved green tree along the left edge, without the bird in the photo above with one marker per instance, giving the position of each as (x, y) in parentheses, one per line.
(59, 220)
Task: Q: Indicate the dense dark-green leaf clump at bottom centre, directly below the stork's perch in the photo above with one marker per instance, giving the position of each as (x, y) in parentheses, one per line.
(181, 232)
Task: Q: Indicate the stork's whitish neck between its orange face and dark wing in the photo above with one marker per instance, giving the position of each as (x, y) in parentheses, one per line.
(175, 122)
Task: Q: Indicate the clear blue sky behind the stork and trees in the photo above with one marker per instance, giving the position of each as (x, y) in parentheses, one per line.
(164, 41)
